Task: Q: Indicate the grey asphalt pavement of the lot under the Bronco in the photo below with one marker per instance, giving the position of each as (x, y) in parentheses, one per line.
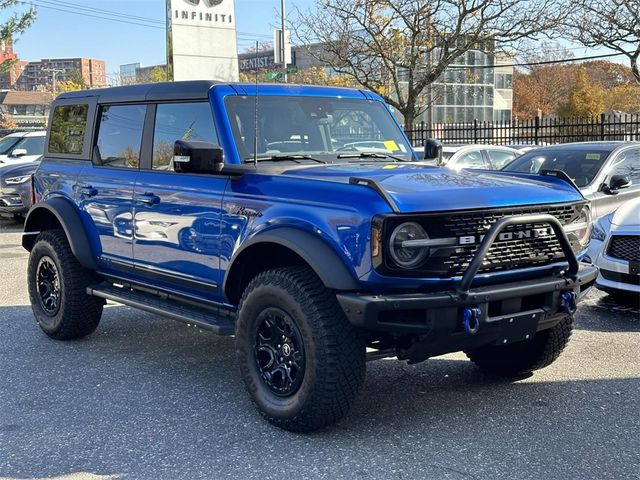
(148, 398)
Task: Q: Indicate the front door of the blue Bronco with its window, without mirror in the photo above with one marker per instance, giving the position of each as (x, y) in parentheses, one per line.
(177, 215)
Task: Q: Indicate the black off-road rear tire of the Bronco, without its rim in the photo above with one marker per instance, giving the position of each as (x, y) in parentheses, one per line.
(78, 314)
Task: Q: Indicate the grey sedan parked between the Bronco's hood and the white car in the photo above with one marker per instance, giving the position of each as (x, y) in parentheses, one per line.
(607, 173)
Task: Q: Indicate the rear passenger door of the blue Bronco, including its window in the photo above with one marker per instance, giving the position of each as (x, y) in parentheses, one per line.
(105, 187)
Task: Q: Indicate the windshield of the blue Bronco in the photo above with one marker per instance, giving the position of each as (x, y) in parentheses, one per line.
(315, 126)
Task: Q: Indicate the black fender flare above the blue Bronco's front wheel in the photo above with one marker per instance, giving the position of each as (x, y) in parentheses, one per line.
(325, 261)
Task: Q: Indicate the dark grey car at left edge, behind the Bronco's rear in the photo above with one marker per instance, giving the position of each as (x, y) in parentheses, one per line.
(15, 188)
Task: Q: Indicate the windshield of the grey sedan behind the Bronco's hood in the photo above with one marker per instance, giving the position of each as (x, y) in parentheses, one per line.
(581, 165)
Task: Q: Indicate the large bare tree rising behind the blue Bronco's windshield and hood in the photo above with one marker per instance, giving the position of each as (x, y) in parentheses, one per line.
(397, 48)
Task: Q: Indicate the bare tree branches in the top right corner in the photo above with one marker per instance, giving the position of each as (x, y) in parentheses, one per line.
(614, 24)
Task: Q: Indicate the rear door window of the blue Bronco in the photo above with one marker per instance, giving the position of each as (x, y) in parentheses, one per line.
(120, 135)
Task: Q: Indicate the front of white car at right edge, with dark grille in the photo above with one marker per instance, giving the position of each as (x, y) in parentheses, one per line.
(615, 249)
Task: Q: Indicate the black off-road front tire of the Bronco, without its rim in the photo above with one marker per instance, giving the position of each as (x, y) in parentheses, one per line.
(334, 351)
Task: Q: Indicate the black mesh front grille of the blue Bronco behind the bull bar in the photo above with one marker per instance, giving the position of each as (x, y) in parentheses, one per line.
(506, 254)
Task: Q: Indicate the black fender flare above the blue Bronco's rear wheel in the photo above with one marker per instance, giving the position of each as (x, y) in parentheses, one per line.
(38, 219)
